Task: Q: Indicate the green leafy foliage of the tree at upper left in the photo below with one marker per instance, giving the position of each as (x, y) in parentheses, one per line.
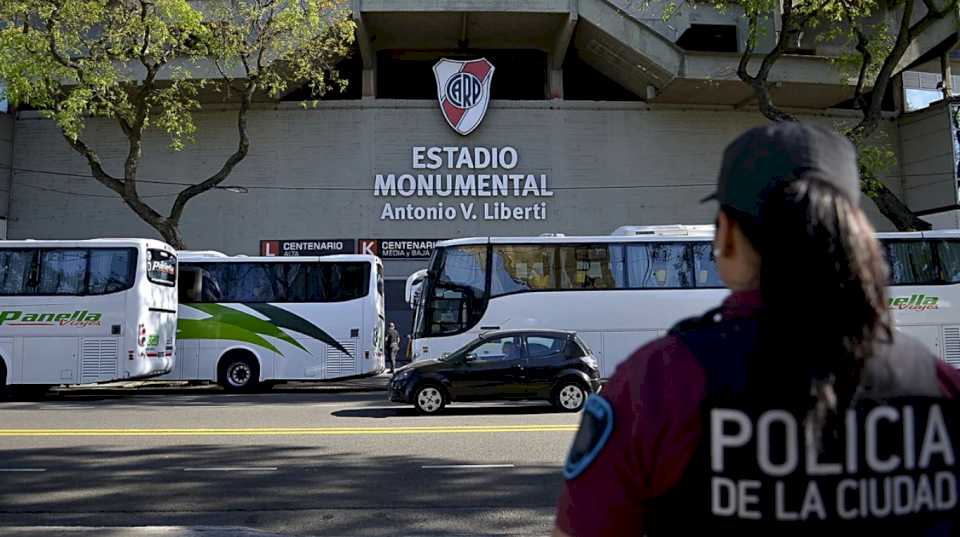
(137, 61)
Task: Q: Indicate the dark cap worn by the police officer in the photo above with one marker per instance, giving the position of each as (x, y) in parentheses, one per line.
(781, 152)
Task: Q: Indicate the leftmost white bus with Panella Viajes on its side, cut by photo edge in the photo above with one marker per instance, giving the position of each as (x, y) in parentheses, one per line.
(77, 312)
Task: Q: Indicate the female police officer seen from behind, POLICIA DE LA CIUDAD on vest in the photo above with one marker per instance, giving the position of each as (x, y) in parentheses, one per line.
(792, 409)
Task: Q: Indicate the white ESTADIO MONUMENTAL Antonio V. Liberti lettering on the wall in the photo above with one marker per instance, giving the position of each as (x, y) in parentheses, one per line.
(481, 172)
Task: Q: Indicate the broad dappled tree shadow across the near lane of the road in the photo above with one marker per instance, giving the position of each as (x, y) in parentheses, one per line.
(314, 490)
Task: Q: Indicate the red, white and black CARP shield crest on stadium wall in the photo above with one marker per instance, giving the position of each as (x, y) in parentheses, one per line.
(463, 89)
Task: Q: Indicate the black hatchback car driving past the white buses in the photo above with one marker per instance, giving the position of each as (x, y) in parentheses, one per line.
(551, 365)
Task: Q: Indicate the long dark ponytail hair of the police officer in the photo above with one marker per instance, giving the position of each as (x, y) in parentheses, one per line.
(823, 284)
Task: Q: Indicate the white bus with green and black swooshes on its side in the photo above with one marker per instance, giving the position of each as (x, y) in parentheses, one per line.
(250, 320)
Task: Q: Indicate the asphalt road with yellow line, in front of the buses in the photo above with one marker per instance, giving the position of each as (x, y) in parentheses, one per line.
(301, 462)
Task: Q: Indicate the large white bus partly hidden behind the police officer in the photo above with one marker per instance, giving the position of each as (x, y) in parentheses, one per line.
(621, 291)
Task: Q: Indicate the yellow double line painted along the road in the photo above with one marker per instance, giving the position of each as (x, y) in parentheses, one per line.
(293, 431)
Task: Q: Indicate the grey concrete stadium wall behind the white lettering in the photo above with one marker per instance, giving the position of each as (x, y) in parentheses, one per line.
(607, 164)
